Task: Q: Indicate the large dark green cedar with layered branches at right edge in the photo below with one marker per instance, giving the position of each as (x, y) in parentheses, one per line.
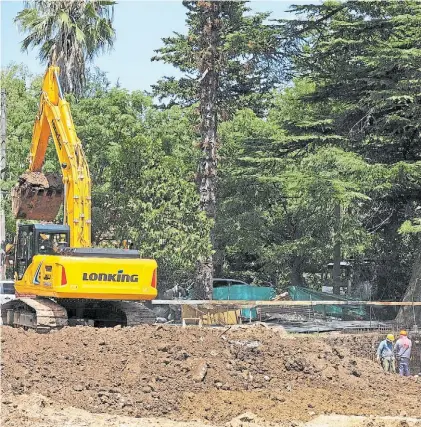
(363, 58)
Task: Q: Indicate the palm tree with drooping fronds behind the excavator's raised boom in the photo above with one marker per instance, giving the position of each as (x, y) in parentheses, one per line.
(69, 33)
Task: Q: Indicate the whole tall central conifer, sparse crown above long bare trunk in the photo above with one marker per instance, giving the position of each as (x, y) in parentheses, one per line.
(229, 60)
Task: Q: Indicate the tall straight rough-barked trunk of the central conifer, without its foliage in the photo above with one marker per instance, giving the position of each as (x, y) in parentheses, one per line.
(208, 92)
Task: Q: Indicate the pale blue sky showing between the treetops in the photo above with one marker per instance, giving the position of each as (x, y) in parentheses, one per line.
(140, 26)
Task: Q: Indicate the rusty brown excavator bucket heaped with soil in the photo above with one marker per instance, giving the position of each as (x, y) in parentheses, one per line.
(37, 196)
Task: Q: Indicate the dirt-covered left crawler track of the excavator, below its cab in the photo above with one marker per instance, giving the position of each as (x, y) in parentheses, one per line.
(41, 314)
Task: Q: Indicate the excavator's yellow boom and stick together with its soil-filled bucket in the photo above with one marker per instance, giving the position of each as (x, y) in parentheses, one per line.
(38, 196)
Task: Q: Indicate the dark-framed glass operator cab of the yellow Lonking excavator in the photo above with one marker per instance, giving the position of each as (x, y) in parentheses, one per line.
(34, 239)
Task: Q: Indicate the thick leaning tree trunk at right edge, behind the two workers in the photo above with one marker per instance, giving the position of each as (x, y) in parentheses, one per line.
(409, 316)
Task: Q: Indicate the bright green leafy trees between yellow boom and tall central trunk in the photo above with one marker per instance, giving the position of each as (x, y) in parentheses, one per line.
(143, 187)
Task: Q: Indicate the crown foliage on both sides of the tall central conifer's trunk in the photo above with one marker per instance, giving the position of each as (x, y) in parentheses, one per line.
(250, 59)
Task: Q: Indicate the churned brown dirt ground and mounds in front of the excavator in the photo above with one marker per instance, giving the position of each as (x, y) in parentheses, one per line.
(170, 376)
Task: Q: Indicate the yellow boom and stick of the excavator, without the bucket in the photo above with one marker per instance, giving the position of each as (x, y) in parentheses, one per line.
(54, 118)
